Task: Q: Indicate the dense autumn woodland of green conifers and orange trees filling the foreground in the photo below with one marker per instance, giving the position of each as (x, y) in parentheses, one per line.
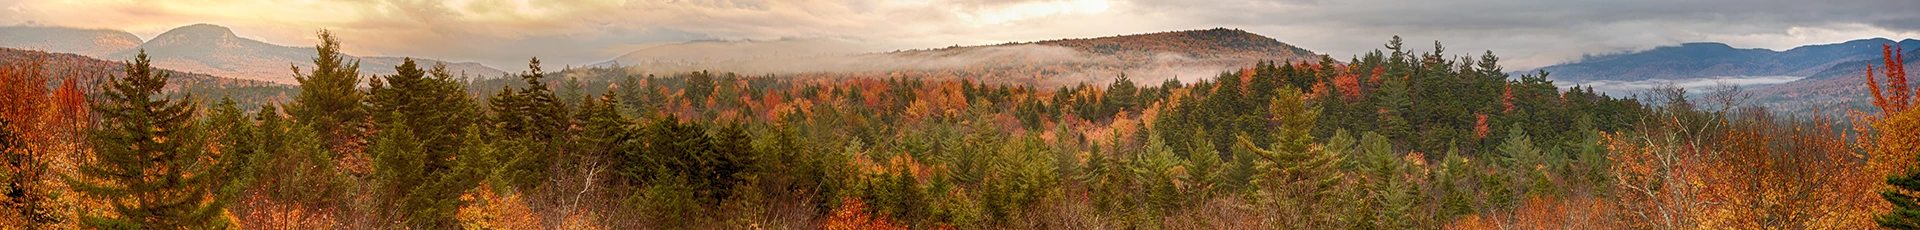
(1395, 139)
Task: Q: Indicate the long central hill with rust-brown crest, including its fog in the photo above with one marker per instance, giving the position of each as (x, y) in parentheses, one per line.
(1145, 58)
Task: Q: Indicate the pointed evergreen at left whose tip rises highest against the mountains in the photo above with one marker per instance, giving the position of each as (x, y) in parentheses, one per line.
(329, 101)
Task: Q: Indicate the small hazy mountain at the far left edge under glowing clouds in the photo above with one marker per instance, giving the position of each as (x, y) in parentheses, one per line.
(93, 43)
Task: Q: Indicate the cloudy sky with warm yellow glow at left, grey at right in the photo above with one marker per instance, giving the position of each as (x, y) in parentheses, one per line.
(504, 34)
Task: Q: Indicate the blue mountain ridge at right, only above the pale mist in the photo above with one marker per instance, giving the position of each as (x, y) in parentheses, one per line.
(1708, 60)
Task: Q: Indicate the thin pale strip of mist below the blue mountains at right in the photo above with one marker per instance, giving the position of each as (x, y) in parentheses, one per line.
(1691, 85)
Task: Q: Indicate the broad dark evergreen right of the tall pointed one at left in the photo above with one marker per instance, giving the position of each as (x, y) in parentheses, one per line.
(425, 131)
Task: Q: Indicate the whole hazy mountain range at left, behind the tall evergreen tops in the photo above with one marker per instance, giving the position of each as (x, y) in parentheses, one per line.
(203, 49)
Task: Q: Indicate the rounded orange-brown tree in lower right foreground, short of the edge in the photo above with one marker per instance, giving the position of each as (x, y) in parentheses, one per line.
(1777, 173)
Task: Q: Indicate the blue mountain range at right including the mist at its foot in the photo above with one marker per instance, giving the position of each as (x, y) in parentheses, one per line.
(1825, 80)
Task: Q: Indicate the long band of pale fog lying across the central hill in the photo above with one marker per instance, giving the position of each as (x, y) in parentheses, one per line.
(1051, 66)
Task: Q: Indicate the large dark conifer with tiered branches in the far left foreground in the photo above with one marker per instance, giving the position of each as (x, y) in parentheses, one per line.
(151, 158)
